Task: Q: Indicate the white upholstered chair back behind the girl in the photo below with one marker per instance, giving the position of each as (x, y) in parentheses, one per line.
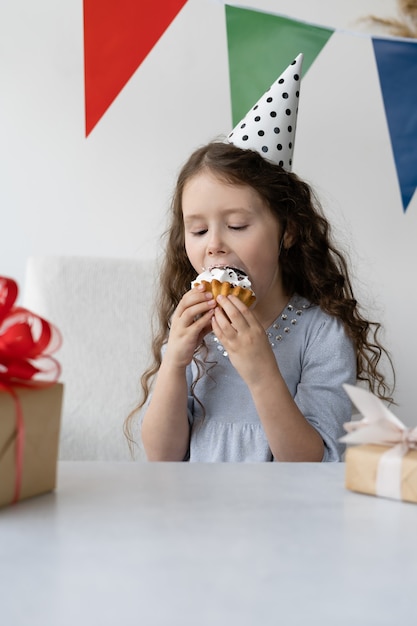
(102, 306)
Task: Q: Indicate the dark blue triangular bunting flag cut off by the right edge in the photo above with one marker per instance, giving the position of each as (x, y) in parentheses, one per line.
(397, 67)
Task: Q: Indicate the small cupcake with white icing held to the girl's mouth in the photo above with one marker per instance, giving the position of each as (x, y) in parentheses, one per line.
(227, 280)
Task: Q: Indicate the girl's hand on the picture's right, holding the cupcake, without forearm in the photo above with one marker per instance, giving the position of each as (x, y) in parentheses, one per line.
(244, 338)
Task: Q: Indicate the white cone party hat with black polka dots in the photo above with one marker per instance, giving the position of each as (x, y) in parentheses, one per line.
(269, 127)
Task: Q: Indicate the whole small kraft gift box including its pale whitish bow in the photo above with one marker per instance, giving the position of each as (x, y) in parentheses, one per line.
(384, 461)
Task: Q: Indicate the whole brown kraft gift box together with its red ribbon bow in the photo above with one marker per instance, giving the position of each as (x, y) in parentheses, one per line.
(30, 400)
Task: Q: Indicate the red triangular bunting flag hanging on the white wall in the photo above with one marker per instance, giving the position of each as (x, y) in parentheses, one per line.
(118, 35)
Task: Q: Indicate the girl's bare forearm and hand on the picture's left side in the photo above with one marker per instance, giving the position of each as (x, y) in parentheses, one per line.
(165, 426)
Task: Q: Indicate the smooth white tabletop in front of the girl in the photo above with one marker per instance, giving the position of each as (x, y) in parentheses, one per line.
(198, 544)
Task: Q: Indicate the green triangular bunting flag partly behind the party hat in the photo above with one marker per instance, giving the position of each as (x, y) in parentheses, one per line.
(260, 46)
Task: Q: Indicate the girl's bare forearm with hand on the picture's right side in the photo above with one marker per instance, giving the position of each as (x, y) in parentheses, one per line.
(290, 436)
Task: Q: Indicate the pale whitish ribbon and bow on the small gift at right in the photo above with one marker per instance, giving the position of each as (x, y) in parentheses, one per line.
(380, 426)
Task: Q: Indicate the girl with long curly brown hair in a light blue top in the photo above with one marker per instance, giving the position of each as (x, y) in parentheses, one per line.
(233, 383)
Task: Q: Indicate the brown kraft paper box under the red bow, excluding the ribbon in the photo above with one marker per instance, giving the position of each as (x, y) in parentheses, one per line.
(41, 410)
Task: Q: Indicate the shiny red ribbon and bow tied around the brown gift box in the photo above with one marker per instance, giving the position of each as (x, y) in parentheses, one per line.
(26, 344)
